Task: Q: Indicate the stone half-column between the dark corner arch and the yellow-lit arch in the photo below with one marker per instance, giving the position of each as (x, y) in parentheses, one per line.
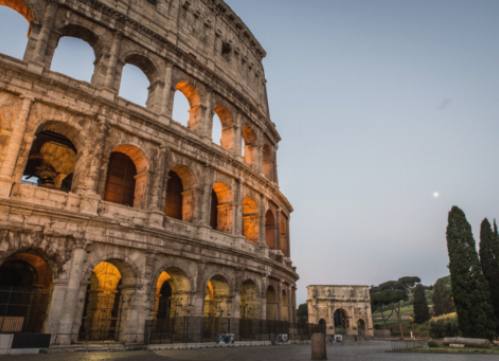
(65, 332)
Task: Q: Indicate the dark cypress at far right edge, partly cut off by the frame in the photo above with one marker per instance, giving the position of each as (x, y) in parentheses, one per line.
(489, 246)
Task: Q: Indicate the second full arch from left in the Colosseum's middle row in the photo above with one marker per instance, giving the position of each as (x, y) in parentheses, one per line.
(126, 176)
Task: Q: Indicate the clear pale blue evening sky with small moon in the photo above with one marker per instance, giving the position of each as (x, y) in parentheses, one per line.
(380, 105)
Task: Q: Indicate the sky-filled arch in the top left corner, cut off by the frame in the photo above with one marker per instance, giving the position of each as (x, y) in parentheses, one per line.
(14, 14)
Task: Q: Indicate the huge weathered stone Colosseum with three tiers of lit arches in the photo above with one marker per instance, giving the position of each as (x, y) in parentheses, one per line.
(118, 222)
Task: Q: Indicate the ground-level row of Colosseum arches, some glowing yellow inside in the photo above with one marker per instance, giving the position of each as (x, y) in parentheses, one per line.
(109, 297)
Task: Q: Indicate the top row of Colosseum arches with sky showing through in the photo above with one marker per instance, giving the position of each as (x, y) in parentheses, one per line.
(78, 52)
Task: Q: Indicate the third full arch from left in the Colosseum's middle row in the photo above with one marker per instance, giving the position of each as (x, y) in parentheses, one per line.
(179, 194)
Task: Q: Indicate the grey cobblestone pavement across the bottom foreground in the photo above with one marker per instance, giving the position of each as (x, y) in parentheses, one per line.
(374, 351)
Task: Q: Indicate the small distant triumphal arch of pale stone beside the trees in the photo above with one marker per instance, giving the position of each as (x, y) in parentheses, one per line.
(346, 310)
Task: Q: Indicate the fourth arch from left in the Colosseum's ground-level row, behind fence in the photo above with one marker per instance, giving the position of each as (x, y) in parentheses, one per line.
(217, 298)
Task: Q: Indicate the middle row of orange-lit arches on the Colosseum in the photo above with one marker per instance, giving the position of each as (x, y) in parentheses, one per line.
(54, 159)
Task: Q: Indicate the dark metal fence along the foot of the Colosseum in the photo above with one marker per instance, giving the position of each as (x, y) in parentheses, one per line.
(211, 329)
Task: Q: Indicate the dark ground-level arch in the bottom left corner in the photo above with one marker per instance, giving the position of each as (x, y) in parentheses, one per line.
(25, 289)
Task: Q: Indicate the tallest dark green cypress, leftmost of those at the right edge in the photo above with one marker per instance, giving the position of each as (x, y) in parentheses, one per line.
(470, 289)
